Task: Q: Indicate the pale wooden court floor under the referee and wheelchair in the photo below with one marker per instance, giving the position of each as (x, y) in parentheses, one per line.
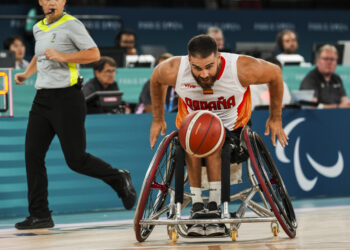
(319, 228)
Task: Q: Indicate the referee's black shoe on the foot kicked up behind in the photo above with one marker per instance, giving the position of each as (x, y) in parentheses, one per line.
(125, 189)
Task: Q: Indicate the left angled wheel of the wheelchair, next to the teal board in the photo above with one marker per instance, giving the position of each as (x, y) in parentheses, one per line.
(155, 187)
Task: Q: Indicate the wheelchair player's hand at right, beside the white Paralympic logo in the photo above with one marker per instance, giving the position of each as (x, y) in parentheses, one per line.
(275, 125)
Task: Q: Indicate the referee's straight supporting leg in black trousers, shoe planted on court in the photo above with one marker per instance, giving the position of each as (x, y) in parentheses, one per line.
(38, 138)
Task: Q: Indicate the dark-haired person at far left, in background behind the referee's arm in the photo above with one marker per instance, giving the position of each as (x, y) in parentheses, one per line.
(15, 43)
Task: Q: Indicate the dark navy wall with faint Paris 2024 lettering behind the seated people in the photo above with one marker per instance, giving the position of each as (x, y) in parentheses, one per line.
(173, 27)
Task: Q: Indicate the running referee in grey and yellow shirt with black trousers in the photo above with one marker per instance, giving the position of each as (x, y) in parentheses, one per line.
(61, 43)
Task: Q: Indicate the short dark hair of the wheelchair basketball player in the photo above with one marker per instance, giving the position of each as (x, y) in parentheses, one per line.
(202, 46)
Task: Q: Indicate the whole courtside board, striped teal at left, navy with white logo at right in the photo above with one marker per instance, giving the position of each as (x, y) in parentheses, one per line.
(312, 165)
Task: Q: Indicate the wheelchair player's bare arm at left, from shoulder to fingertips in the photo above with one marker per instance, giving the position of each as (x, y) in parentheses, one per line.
(163, 75)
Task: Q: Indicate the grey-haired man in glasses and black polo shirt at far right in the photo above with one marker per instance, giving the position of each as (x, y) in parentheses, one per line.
(328, 86)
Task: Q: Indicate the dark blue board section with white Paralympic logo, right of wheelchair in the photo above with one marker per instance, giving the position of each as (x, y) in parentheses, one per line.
(314, 162)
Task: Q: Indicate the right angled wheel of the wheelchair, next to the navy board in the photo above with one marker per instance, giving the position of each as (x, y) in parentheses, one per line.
(270, 182)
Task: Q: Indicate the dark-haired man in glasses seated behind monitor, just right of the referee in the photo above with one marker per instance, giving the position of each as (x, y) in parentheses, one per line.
(105, 71)
